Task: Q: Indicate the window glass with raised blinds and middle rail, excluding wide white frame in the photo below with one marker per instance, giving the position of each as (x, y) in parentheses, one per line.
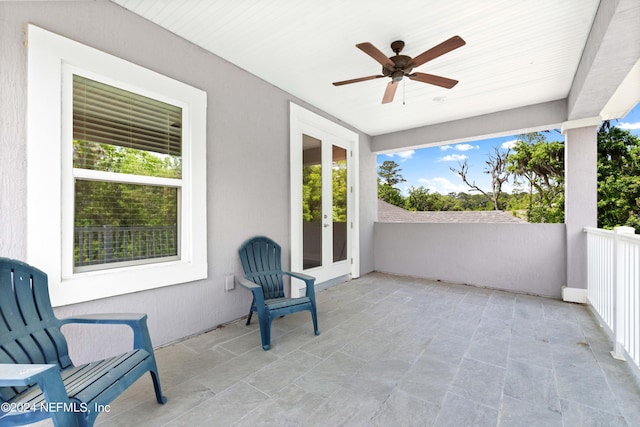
(119, 139)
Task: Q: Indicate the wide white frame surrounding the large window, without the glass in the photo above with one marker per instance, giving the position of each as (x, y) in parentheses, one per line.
(52, 60)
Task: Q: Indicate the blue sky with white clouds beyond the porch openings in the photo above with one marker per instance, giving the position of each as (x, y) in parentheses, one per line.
(430, 167)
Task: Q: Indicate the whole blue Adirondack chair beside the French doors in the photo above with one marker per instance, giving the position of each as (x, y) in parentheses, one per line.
(260, 257)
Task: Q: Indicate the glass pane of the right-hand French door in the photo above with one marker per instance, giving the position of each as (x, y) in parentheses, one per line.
(339, 207)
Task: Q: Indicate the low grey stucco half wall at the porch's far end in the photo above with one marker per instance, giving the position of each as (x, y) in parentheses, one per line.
(527, 258)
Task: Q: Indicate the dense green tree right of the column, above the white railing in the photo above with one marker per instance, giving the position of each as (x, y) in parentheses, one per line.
(618, 177)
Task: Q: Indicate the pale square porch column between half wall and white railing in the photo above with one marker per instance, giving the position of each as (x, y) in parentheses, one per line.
(581, 196)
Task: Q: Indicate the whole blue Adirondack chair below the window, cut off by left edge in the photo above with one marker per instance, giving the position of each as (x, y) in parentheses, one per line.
(37, 377)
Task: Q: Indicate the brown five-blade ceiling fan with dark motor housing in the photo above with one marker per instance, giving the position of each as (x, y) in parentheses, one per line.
(400, 66)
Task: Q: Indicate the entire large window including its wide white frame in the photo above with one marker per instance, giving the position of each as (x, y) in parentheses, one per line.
(119, 151)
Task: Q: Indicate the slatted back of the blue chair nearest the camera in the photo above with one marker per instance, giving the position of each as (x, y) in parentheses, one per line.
(29, 330)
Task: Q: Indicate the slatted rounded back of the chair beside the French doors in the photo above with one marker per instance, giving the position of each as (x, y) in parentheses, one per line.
(260, 258)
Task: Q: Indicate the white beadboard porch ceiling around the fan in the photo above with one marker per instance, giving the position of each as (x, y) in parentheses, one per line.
(518, 52)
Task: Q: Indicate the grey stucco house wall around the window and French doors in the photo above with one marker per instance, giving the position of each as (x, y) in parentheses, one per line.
(247, 163)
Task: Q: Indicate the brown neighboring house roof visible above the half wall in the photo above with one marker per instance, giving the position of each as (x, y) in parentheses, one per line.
(390, 213)
